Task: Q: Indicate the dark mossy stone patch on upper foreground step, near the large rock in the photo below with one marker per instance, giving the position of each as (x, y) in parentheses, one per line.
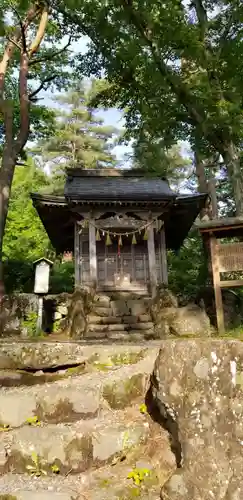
(120, 394)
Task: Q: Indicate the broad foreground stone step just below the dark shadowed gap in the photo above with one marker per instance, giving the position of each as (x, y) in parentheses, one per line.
(124, 375)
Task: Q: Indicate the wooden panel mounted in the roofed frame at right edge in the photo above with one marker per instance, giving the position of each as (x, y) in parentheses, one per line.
(230, 257)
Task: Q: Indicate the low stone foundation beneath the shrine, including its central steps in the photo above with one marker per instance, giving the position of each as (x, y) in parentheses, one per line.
(86, 314)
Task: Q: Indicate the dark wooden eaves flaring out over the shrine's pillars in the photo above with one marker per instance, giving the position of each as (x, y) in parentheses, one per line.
(58, 216)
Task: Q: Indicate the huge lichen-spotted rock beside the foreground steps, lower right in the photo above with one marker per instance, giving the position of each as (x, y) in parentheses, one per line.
(197, 390)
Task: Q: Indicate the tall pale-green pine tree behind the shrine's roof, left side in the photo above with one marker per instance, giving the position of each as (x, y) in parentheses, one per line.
(80, 139)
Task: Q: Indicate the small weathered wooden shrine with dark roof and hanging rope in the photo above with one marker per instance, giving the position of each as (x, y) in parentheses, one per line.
(119, 225)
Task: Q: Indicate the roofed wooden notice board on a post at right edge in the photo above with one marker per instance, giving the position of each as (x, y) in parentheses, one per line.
(224, 237)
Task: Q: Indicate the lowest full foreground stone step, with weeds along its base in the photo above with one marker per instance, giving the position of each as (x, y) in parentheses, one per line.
(72, 448)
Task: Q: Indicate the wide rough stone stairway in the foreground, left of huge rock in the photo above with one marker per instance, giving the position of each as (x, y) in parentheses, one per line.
(79, 432)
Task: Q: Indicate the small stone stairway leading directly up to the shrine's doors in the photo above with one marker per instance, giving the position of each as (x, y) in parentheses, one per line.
(121, 316)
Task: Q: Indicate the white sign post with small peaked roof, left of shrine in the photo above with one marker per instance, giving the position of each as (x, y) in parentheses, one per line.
(42, 276)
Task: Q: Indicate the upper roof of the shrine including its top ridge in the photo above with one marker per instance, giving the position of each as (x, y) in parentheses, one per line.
(114, 185)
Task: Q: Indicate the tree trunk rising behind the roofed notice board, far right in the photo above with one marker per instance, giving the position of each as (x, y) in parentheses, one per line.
(231, 157)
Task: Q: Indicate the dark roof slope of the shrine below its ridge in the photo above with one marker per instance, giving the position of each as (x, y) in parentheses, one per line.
(117, 188)
